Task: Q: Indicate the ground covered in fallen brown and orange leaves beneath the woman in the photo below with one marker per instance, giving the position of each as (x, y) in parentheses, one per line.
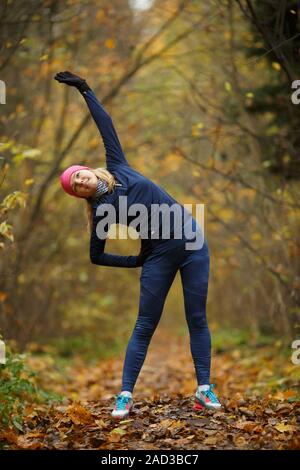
(257, 387)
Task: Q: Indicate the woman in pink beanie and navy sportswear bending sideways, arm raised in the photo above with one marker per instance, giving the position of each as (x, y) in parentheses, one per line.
(160, 257)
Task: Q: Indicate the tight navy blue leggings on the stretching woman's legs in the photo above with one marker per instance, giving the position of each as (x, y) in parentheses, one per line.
(158, 273)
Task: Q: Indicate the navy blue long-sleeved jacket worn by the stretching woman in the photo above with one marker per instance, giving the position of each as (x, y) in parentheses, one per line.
(133, 184)
